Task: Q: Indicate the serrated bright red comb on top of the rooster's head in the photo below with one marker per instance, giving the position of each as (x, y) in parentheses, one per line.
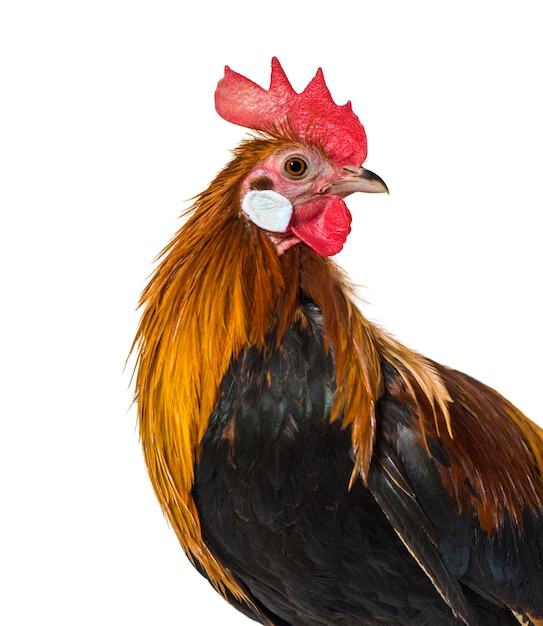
(312, 114)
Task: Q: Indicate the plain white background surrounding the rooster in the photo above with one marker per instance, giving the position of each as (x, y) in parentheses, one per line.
(107, 126)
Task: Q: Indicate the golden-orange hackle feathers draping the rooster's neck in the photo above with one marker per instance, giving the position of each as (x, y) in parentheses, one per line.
(219, 287)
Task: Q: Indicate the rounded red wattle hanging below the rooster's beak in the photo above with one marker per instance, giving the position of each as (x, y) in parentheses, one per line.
(323, 224)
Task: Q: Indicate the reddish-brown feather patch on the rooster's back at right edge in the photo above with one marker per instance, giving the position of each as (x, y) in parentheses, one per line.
(497, 452)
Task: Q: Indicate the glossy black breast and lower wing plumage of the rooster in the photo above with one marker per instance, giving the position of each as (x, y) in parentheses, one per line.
(272, 492)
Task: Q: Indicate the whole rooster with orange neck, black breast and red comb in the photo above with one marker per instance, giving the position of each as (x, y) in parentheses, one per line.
(315, 470)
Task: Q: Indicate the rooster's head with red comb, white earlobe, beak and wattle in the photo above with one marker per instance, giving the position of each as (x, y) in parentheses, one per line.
(295, 192)
